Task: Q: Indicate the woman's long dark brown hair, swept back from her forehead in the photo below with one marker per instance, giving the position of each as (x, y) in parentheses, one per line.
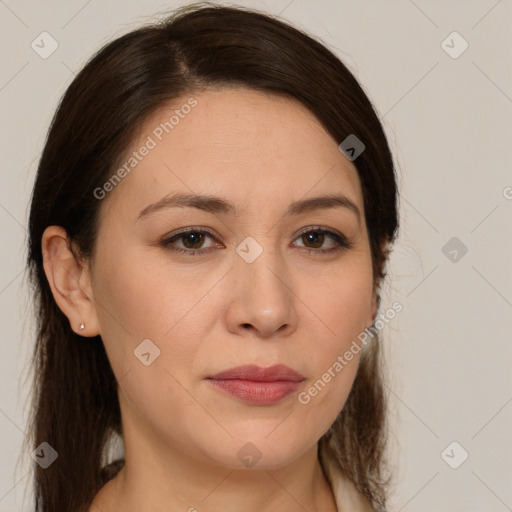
(74, 403)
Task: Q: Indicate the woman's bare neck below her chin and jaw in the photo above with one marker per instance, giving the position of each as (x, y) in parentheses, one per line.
(175, 482)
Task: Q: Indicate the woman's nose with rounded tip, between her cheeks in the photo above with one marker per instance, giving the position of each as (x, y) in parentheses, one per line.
(262, 301)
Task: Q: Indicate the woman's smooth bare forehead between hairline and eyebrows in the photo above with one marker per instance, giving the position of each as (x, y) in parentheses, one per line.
(256, 149)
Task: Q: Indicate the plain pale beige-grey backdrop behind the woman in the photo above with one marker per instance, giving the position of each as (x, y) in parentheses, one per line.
(447, 111)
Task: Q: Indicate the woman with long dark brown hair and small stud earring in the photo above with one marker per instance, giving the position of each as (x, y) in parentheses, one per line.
(209, 227)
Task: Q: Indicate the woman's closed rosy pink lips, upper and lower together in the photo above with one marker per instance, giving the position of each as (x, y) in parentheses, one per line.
(257, 385)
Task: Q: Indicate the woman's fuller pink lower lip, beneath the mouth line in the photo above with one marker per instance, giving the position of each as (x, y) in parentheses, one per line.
(258, 393)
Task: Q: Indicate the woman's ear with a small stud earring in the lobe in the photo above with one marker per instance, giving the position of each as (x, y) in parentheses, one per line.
(70, 281)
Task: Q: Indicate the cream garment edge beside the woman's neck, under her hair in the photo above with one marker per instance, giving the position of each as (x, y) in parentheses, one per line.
(348, 498)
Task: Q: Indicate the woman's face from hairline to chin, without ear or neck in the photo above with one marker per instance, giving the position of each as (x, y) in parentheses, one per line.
(254, 280)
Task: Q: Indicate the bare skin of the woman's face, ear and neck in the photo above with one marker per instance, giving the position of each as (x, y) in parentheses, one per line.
(214, 311)
